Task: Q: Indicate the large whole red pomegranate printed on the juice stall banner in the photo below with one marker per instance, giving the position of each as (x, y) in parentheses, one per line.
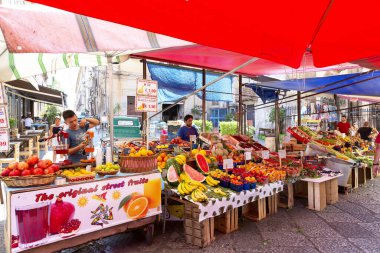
(61, 213)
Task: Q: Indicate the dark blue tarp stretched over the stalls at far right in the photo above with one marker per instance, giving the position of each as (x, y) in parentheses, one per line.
(366, 88)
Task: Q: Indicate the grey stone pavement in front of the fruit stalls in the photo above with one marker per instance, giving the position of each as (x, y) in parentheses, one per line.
(351, 225)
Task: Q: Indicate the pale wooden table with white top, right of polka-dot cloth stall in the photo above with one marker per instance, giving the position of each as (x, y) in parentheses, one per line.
(322, 191)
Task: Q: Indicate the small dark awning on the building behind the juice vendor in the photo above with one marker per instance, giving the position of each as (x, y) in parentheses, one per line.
(42, 94)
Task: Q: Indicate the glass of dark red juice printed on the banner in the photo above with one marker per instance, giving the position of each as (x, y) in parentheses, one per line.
(33, 224)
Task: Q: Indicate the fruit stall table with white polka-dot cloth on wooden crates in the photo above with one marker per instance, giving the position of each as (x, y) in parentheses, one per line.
(201, 219)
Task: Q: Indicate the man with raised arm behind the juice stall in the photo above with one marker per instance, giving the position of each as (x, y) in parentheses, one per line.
(76, 131)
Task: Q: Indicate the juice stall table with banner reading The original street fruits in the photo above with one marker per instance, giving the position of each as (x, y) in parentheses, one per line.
(41, 218)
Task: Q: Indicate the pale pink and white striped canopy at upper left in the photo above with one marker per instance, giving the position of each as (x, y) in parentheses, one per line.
(49, 39)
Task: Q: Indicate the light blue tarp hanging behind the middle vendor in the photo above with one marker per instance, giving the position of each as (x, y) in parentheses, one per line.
(174, 83)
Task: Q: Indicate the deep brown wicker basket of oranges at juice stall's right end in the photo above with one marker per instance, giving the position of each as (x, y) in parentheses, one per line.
(130, 164)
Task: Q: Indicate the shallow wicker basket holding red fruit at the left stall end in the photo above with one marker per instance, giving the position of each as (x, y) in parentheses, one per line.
(28, 181)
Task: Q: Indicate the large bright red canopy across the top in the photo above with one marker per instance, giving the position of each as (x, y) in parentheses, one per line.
(280, 31)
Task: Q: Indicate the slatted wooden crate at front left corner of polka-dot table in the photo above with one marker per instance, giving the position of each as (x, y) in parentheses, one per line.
(197, 233)
